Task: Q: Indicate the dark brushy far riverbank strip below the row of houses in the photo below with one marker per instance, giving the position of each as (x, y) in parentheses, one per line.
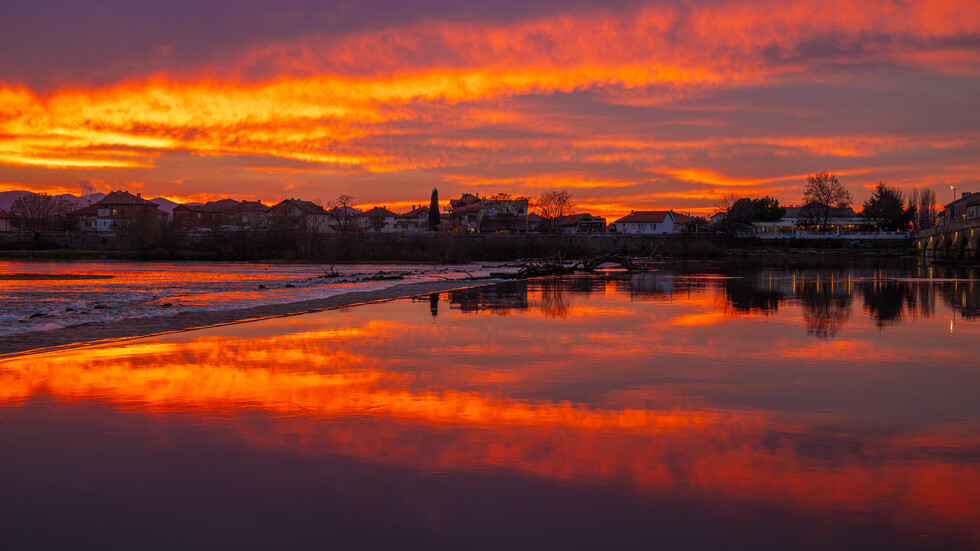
(358, 247)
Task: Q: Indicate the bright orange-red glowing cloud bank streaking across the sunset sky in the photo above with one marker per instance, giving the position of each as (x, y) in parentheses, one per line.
(435, 96)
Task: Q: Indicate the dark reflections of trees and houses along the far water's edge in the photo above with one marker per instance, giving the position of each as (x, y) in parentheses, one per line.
(826, 297)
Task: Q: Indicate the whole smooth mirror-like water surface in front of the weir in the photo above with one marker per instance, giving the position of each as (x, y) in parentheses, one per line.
(693, 408)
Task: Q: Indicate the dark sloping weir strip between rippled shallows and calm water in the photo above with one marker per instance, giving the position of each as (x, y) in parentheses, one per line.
(98, 332)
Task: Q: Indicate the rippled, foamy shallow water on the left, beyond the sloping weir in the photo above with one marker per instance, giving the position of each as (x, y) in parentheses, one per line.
(37, 296)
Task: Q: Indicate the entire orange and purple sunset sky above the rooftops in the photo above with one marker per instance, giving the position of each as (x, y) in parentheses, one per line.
(626, 104)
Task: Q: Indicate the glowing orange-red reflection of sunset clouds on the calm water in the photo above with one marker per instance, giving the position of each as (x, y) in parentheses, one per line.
(679, 386)
